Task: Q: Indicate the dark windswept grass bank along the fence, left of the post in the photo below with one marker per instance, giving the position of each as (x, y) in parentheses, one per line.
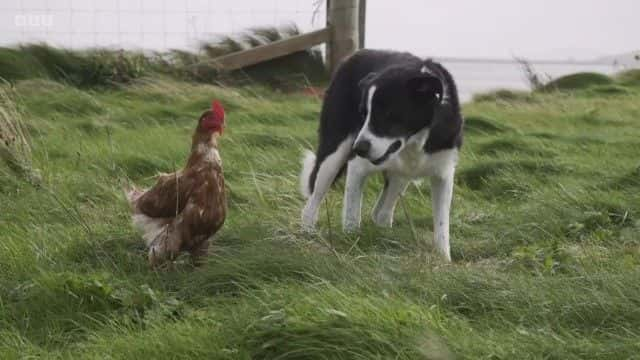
(104, 68)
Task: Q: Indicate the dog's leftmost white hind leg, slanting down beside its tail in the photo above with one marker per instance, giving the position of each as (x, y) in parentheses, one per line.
(328, 169)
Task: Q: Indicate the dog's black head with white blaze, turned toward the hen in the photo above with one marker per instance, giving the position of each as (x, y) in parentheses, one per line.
(395, 104)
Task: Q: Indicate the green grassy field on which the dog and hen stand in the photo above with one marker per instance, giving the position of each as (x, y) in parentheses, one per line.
(545, 242)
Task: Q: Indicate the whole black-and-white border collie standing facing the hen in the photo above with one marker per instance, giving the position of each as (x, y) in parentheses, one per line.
(393, 113)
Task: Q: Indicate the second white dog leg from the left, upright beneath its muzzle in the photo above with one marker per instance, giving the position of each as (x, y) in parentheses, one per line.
(357, 173)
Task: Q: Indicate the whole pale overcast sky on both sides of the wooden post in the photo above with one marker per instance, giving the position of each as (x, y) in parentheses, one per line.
(535, 29)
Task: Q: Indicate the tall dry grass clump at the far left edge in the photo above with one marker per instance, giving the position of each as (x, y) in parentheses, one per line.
(15, 150)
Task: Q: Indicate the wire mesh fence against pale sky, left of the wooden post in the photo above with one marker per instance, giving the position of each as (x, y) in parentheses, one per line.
(146, 24)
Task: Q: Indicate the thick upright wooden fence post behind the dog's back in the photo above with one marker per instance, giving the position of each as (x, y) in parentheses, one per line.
(342, 20)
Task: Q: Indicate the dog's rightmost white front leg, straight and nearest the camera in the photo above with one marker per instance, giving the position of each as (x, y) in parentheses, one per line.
(441, 195)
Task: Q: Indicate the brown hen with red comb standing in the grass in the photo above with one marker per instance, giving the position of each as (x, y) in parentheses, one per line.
(186, 208)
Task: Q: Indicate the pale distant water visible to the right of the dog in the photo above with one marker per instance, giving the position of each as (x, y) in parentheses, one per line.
(478, 77)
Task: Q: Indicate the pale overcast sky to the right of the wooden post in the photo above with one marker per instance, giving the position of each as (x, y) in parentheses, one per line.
(502, 28)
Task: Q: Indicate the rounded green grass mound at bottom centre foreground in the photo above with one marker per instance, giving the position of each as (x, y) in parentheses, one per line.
(337, 326)
